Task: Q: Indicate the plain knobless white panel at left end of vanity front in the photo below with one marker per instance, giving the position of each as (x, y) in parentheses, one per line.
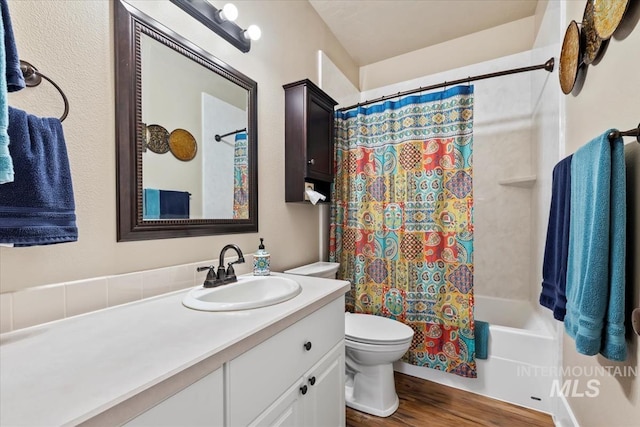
(200, 404)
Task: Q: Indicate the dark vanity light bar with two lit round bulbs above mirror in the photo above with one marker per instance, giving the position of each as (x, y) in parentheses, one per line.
(220, 21)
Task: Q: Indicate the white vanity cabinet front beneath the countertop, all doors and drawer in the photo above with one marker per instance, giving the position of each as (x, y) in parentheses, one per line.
(295, 378)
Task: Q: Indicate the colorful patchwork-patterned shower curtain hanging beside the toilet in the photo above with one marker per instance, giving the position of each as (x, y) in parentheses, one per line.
(401, 220)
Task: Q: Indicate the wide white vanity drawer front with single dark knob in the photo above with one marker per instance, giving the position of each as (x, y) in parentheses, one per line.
(258, 377)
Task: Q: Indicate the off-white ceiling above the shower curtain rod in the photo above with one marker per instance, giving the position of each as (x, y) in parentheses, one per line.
(373, 30)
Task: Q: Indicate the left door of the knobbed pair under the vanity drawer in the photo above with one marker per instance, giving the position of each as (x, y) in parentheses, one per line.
(284, 412)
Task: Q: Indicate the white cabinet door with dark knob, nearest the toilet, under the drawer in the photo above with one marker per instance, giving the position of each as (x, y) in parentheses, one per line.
(324, 404)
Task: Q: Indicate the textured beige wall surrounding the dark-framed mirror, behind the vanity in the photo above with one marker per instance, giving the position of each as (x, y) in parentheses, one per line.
(72, 42)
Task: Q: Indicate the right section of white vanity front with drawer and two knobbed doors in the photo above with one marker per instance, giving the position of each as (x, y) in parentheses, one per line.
(294, 378)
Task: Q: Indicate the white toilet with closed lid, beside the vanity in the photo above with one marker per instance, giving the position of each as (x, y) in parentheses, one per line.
(372, 344)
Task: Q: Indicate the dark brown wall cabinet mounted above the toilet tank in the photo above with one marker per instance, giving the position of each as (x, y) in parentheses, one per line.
(308, 139)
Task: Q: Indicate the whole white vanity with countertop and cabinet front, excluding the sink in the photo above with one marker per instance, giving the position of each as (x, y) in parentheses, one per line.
(172, 366)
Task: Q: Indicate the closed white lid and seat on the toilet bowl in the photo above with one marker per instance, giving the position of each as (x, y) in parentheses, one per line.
(367, 328)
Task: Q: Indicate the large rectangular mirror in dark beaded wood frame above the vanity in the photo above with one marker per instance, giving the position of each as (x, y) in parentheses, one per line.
(186, 136)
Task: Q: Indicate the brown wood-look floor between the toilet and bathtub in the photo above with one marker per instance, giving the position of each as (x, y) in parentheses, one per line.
(428, 404)
